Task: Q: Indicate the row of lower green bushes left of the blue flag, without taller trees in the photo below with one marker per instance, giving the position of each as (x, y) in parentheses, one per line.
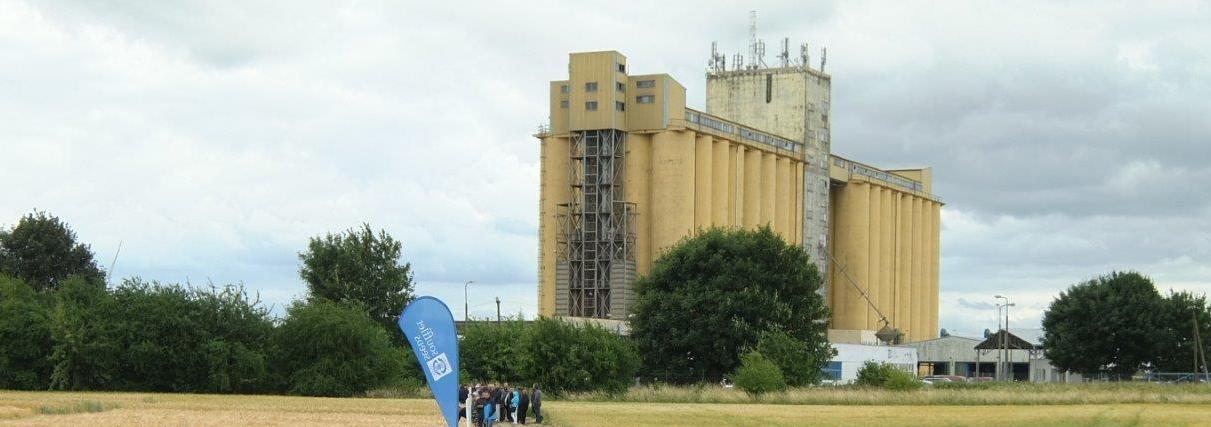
(171, 338)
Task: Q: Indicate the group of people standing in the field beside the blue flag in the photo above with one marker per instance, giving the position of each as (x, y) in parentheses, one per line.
(490, 405)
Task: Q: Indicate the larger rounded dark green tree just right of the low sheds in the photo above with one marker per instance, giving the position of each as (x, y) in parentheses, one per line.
(1107, 325)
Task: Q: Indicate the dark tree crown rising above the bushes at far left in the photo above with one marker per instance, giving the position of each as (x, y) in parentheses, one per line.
(43, 251)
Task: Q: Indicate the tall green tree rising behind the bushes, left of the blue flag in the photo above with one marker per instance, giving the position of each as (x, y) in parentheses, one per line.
(359, 266)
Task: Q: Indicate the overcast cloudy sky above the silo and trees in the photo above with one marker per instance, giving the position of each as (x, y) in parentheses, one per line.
(215, 139)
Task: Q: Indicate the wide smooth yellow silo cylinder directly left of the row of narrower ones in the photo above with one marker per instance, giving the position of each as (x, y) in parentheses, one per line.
(673, 188)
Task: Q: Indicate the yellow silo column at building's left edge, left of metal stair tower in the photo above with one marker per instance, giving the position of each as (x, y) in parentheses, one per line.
(554, 189)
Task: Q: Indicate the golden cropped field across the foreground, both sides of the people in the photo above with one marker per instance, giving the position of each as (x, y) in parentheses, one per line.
(127, 409)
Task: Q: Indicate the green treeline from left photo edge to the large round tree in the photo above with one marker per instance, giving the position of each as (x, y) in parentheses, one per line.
(64, 328)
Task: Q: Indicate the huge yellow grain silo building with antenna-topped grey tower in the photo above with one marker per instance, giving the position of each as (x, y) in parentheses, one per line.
(628, 171)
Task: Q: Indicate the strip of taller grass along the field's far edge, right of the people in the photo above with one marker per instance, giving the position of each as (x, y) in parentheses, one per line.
(949, 395)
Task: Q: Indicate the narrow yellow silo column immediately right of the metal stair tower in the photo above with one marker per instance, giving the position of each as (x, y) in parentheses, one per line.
(639, 178)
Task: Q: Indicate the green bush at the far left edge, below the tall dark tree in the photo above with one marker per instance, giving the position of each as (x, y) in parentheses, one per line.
(25, 337)
